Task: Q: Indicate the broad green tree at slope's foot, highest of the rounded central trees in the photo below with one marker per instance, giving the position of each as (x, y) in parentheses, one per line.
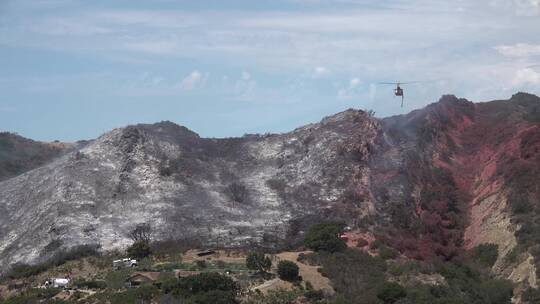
(325, 236)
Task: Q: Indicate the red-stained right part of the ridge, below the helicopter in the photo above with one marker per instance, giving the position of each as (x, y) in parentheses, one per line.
(442, 176)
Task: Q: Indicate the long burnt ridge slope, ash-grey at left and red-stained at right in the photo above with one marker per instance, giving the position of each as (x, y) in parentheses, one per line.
(431, 184)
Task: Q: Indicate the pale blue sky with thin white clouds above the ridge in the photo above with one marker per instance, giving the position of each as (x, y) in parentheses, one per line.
(73, 70)
